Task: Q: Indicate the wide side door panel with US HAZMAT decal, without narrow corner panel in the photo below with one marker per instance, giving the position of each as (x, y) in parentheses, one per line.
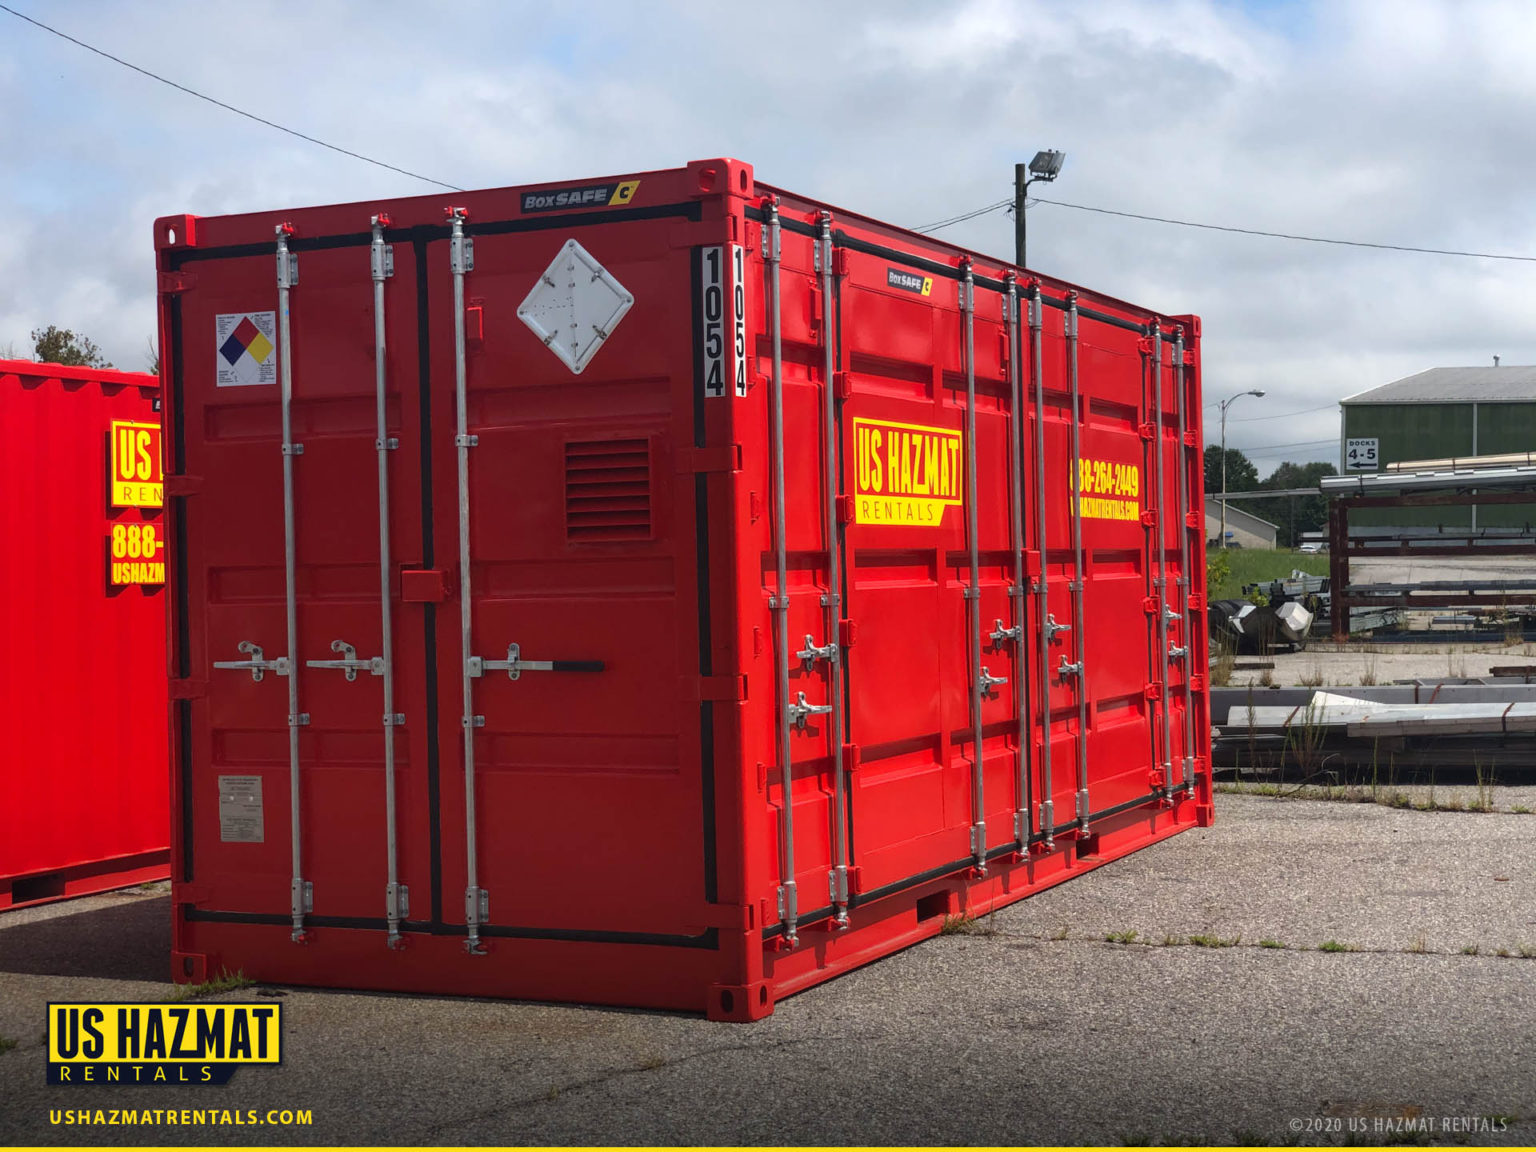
(909, 571)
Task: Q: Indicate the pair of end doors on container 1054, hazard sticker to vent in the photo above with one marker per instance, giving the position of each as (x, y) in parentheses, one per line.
(575, 640)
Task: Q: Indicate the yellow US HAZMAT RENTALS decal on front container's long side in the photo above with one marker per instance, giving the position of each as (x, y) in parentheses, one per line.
(907, 474)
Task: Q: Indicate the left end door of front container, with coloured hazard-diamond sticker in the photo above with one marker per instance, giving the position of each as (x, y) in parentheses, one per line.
(237, 763)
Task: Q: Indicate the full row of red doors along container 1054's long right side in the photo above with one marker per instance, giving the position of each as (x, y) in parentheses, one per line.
(1071, 660)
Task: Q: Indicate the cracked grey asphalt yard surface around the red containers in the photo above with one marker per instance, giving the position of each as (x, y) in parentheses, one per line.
(1031, 1028)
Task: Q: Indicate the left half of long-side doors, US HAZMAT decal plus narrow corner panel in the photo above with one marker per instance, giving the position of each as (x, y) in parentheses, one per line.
(899, 466)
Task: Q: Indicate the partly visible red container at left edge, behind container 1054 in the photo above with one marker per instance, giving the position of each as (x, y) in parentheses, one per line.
(84, 634)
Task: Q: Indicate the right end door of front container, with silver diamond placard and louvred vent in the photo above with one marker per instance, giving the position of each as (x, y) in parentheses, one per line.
(588, 744)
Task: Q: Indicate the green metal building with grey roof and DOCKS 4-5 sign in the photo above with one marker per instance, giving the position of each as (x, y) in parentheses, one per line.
(1435, 415)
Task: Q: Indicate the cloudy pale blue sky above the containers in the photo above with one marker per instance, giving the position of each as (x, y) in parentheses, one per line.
(1397, 122)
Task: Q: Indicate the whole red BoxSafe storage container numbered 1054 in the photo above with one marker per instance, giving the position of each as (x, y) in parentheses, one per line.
(603, 592)
